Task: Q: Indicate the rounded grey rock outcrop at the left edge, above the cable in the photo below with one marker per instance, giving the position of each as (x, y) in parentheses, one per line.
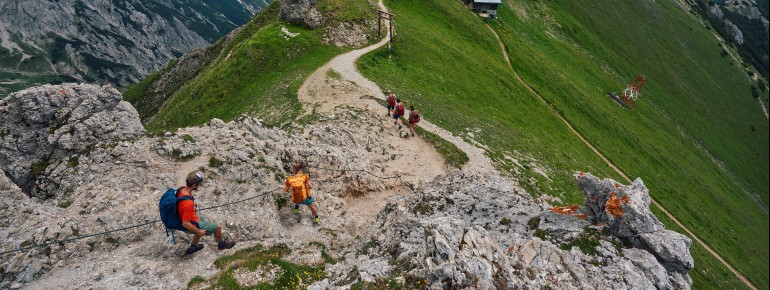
(43, 127)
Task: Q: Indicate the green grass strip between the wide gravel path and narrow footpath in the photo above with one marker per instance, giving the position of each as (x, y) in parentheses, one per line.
(463, 86)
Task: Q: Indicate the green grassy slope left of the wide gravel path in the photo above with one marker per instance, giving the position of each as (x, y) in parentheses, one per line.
(258, 72)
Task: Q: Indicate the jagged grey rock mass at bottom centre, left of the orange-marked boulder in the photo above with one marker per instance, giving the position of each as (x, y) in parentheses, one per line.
(476, 232)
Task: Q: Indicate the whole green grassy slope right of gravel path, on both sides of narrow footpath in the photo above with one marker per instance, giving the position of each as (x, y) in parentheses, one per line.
(695, 106)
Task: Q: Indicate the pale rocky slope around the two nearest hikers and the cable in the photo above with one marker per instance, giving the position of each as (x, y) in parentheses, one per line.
(119, 183)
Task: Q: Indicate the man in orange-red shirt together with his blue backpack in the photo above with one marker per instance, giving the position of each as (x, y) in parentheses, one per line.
(186, 218)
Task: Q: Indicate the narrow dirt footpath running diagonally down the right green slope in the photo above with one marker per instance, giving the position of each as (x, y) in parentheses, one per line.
(616, 169)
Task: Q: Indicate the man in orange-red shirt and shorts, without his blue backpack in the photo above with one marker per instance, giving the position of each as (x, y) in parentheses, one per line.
(190, 220)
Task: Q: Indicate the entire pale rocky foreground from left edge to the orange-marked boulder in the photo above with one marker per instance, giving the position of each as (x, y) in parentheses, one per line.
(454, 231)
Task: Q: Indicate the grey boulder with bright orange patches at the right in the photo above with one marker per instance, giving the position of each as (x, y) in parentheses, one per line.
(621, 214)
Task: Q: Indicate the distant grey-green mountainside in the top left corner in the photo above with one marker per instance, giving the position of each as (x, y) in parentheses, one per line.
(107, 41)
